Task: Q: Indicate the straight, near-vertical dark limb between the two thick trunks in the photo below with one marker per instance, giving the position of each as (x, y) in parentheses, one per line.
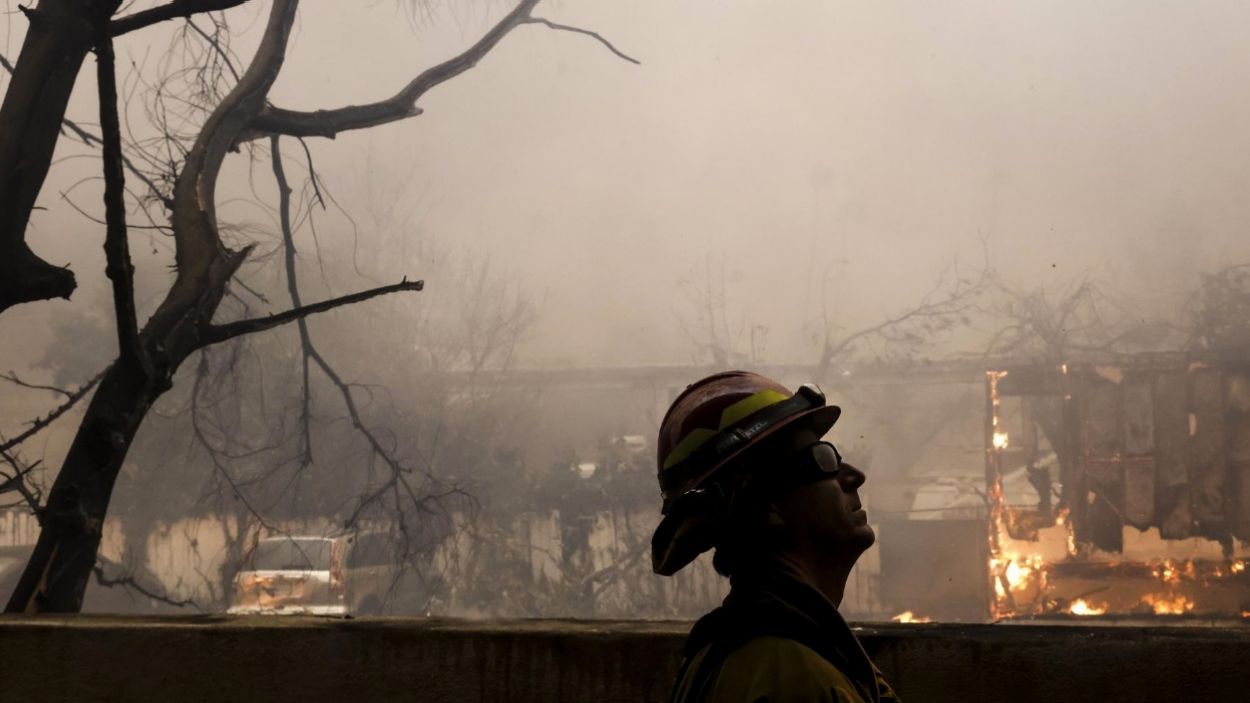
(117, 246)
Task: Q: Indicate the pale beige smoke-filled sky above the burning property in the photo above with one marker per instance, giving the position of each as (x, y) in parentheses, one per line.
(812, 149)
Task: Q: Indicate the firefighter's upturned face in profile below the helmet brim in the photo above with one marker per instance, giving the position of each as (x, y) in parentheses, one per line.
(827, 513)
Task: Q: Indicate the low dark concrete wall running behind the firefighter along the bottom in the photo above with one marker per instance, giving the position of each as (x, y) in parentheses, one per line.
(214, 659)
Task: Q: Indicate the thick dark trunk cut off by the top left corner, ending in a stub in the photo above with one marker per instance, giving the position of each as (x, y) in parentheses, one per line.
(62, 33)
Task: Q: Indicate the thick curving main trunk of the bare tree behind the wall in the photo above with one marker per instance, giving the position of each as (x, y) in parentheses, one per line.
(57, 576)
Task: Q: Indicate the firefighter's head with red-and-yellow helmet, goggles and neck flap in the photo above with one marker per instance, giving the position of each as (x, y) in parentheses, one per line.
(743, 470)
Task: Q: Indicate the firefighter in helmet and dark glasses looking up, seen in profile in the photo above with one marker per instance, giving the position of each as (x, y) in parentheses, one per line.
(743, 471)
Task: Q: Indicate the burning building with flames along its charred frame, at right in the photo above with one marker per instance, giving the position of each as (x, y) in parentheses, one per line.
(1116, 487)
